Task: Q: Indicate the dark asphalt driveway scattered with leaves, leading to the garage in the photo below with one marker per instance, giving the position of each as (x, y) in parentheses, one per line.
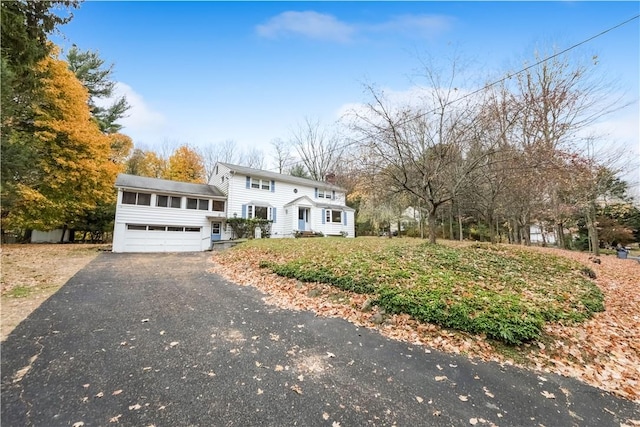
(153, 339)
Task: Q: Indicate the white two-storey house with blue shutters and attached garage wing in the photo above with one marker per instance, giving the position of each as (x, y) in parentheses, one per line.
(156, 215)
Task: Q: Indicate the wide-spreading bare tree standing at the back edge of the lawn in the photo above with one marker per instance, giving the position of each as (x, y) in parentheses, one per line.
(423, 152)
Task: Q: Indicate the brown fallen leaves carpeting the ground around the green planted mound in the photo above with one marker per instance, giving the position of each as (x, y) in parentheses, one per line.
(608, 343)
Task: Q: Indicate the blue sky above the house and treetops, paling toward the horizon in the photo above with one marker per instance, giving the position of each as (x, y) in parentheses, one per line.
(206, 72)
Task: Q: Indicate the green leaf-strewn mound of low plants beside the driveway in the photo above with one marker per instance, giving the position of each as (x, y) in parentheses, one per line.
(504, 292)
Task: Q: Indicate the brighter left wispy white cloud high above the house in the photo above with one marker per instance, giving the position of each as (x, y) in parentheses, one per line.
(310, 24)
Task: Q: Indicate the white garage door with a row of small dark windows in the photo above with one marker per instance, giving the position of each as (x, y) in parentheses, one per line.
(162, 238)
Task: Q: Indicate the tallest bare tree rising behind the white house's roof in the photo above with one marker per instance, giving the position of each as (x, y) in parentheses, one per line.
(319, 149)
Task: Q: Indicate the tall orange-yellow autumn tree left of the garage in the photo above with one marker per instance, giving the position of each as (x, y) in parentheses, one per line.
(73, 164)
